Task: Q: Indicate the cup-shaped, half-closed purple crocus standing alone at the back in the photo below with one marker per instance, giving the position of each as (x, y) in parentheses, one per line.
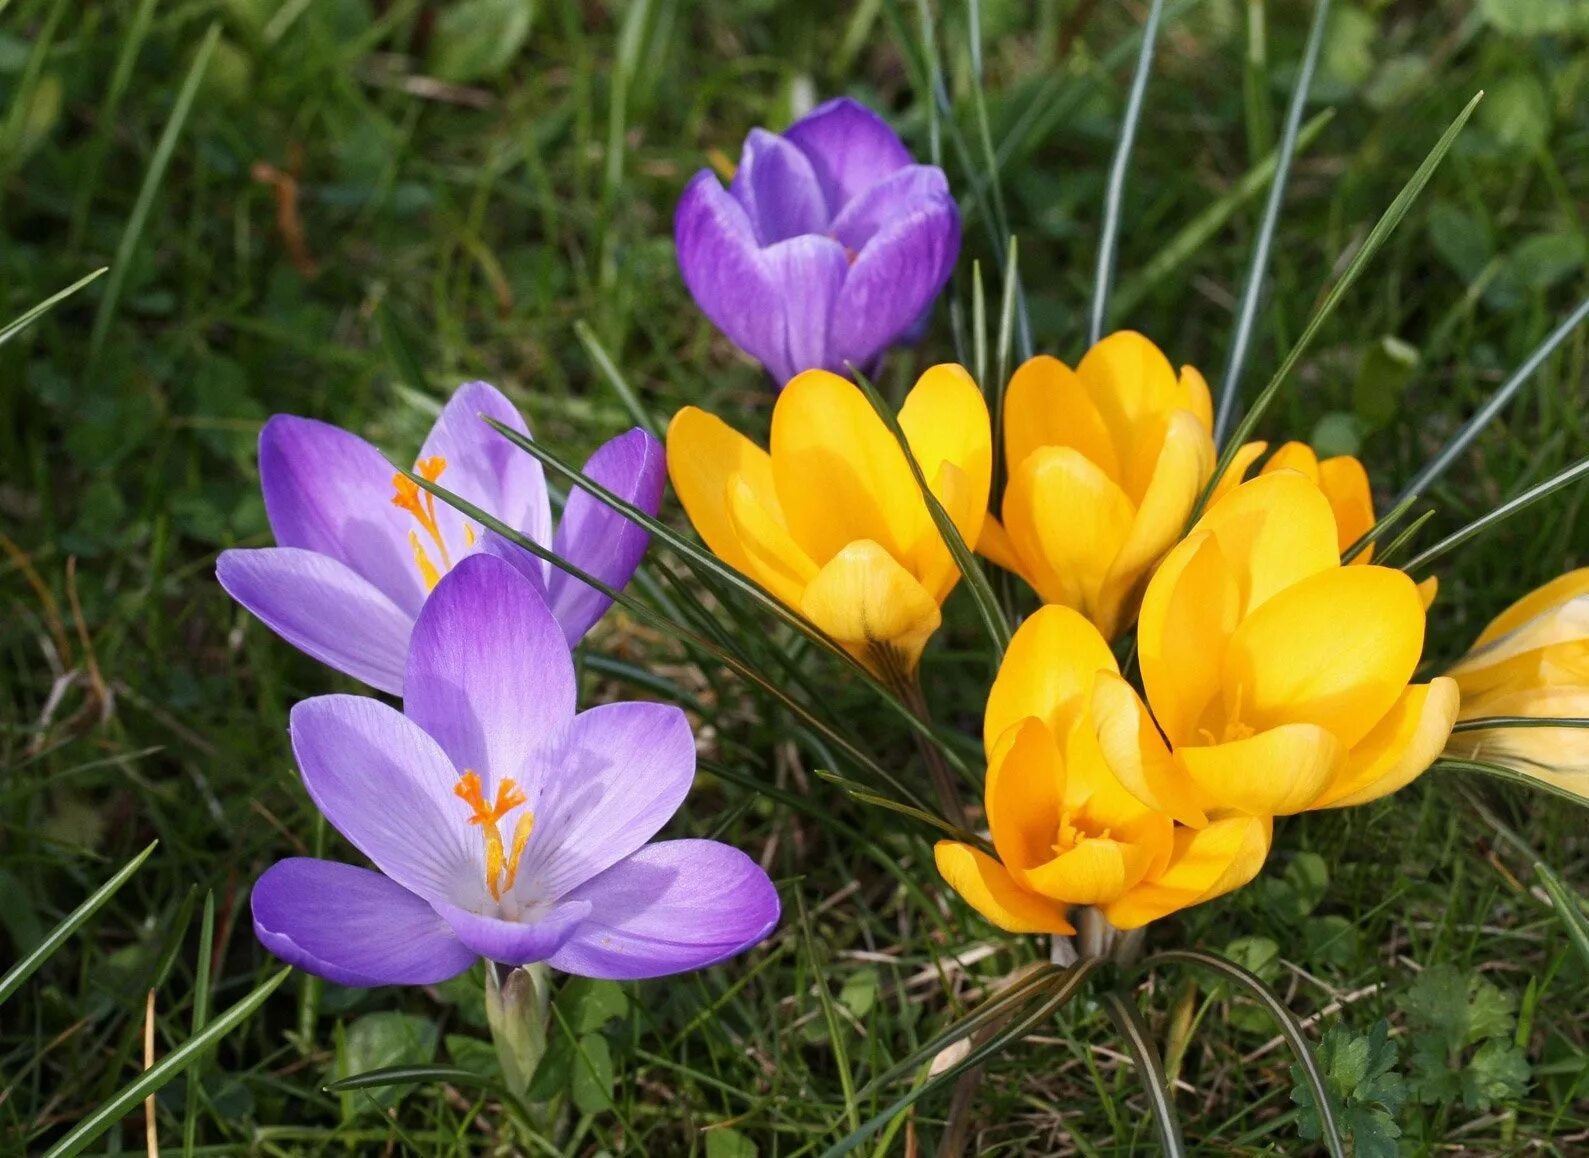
(825, 250)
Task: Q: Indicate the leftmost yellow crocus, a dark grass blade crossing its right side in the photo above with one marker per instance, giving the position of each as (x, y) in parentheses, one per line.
(832, 522)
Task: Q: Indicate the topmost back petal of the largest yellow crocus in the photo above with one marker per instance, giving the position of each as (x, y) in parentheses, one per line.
(1275, 531)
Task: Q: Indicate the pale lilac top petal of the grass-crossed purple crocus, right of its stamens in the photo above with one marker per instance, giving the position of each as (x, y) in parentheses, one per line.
(487, 469)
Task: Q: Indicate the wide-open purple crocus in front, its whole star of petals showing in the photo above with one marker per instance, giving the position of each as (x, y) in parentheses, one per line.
(501, 824)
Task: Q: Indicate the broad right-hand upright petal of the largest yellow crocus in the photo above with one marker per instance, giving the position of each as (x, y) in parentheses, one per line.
(1336, 650)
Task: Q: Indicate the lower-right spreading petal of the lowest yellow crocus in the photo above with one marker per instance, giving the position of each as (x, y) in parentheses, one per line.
(1207, 863)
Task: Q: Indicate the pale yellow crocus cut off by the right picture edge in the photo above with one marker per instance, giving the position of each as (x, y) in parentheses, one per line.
(1533, 662)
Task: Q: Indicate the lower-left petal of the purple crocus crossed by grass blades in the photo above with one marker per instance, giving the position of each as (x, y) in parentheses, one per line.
(325, 609)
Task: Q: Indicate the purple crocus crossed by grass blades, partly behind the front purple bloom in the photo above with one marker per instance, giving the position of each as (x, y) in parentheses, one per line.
(360, 546)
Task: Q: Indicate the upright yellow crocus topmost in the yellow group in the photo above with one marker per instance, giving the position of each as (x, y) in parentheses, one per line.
(1105, 466)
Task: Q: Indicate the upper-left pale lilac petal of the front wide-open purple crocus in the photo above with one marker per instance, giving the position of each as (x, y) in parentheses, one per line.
(389, 787)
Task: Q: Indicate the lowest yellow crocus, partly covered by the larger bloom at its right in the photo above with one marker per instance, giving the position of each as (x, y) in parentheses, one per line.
(1065, 830)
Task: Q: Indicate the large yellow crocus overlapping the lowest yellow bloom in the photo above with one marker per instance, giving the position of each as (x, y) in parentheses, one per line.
(1278, 677)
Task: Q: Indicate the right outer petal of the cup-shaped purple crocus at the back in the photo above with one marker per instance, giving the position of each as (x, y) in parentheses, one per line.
(894, 280)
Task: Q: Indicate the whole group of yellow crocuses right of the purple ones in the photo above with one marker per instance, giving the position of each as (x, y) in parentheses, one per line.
(1274, 677)
